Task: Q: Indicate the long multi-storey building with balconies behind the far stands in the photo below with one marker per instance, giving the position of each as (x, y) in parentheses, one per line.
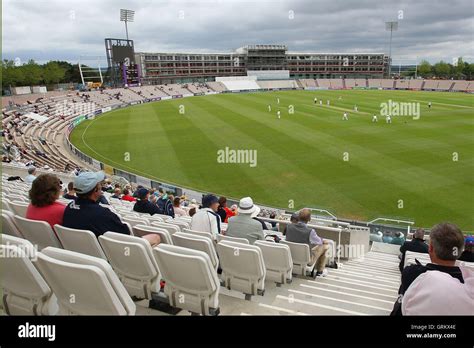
(160, 68)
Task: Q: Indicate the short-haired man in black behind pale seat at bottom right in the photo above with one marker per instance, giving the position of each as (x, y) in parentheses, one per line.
(446, 243)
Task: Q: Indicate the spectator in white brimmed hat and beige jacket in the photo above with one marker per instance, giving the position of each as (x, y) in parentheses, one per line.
(242, 225)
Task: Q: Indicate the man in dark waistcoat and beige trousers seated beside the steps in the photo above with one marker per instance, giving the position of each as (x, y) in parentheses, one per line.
(300, 233)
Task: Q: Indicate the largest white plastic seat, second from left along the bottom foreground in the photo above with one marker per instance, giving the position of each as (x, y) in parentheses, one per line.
(84, 285)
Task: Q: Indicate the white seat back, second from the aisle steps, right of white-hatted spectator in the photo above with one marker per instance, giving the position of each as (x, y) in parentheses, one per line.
(278, 261)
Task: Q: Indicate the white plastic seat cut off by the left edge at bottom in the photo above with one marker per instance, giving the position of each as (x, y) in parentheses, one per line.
(25, 291)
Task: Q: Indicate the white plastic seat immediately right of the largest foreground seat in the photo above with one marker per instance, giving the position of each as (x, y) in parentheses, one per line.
(132, 259)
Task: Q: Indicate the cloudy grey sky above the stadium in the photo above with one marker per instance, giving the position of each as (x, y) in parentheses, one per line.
(46, 30)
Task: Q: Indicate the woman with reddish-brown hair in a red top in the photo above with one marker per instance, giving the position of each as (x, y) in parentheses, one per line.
(44, 192)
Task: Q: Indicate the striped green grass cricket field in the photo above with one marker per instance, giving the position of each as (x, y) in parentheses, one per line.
(404, 169)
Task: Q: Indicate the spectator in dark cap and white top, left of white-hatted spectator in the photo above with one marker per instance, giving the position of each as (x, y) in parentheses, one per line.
(206, 219)
